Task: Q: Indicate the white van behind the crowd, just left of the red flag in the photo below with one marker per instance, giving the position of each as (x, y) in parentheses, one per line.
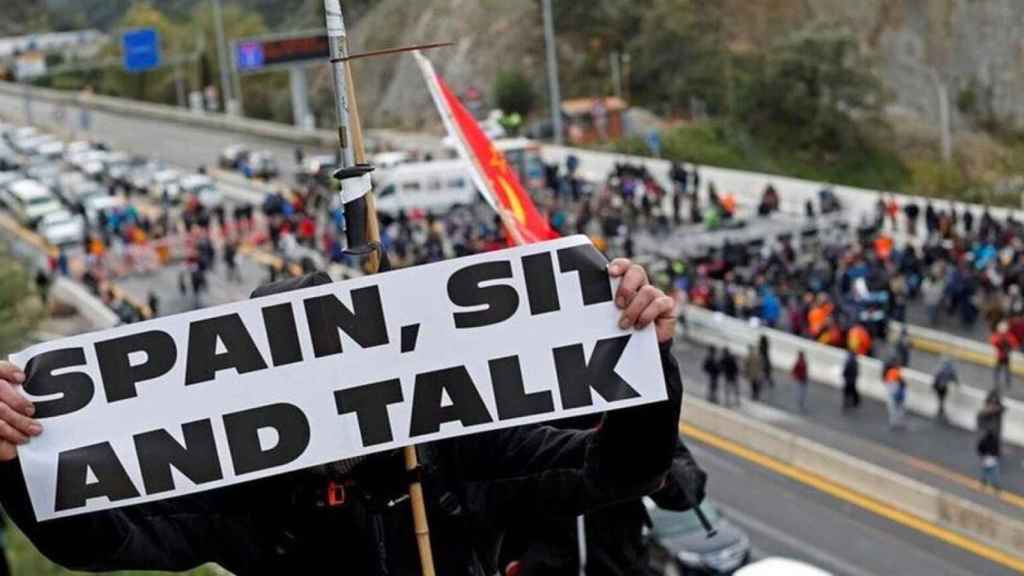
(433, 187)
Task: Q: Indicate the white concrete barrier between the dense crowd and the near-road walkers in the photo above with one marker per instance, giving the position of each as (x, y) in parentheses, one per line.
(826, 365)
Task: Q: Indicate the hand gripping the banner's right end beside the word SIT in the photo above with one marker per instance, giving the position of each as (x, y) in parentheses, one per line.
(642, 303)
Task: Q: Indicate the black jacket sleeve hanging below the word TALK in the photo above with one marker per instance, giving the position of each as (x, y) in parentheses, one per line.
(521, 473)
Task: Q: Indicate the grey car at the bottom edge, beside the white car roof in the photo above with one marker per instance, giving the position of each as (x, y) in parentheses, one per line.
(679, 545)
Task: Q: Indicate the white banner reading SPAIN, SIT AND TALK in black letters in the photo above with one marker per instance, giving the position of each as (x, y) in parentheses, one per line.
(235, 393)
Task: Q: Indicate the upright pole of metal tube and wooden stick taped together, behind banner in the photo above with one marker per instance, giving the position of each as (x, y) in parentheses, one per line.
(363, 229)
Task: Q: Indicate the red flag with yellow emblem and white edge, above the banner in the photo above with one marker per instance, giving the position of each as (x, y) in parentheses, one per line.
(497, 182)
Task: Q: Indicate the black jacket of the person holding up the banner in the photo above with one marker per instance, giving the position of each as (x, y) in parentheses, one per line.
(476, 487)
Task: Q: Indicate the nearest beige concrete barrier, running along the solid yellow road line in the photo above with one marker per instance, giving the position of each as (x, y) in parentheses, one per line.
(873, 482)
